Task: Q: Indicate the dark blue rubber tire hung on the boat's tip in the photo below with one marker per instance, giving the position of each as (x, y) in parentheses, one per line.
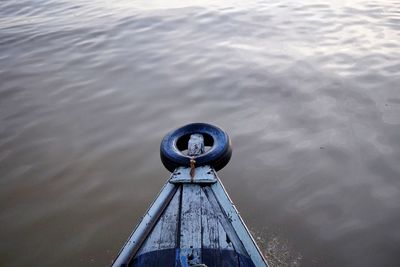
(176, 141)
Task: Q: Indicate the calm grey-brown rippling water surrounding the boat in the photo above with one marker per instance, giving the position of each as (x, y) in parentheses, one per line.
(309, 92)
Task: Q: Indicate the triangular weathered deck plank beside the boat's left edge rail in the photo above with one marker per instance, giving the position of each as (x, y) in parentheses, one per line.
(163, 235)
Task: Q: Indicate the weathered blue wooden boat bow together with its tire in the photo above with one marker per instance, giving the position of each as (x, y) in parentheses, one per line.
(192, 222)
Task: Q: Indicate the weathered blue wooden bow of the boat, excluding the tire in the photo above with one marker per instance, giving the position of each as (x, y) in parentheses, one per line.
(191, 223)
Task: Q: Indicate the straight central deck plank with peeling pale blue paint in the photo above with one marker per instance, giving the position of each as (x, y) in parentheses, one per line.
(190, 238)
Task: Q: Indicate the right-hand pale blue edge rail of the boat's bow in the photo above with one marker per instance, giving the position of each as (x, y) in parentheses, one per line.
(237, 223)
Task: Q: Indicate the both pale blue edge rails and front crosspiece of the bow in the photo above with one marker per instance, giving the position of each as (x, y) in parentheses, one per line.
(162, 201)
